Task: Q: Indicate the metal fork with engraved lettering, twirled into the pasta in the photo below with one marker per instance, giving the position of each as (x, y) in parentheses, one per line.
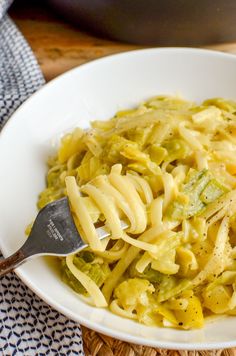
(53, 233)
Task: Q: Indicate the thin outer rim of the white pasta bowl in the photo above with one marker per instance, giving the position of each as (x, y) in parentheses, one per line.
(21, 274)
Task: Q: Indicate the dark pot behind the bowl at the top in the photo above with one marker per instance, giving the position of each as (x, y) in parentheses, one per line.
(155, 22)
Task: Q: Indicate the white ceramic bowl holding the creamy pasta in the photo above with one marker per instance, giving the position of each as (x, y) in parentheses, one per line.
(96, 91)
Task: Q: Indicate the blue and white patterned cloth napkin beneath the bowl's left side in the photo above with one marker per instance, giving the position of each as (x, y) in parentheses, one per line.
(28, 326)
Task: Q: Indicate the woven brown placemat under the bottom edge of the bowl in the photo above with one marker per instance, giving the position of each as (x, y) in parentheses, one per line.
(96, 344)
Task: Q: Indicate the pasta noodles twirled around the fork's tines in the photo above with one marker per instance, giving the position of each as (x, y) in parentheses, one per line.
(112, 194)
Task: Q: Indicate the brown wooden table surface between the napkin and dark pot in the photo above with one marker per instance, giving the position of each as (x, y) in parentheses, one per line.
(60, 46)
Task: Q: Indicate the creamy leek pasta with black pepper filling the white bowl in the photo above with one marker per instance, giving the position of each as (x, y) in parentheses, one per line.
(165, 170)
